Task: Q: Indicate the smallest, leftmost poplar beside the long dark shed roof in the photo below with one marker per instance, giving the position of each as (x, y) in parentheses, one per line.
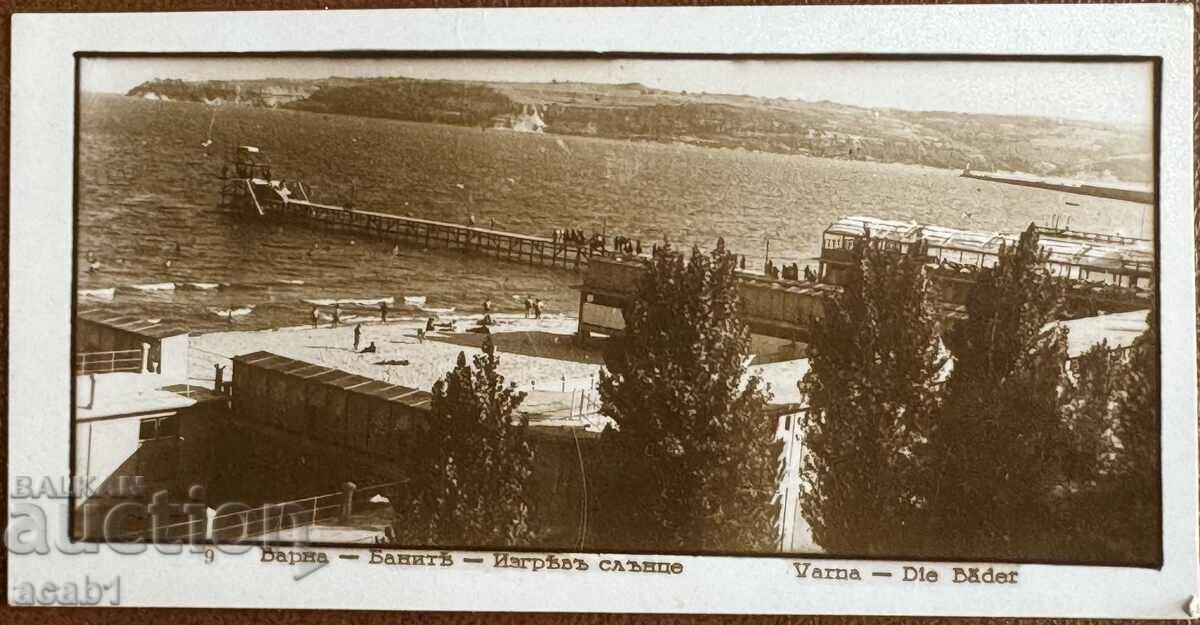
(467, 482)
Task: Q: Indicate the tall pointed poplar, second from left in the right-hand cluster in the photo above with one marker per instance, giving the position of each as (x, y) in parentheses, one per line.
(1003, 441)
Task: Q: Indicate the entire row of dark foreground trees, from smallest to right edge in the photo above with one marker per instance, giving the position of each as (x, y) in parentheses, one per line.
(970, 442)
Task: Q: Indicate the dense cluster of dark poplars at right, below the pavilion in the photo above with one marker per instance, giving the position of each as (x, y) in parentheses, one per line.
(999, 452)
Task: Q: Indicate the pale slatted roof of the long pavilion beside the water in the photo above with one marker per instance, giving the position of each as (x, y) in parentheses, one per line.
(1073, 249)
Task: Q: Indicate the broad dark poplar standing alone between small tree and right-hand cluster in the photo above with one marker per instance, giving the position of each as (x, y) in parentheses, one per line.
(695, 450)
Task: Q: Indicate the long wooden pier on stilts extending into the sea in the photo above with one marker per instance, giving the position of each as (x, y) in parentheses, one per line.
(429, 233)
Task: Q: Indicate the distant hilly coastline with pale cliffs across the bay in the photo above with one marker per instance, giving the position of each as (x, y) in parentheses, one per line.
(633, 112)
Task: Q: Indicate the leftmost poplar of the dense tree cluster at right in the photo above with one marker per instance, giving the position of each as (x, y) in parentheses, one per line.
(872, 392)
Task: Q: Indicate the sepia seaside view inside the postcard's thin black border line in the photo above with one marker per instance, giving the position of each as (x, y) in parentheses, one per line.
(884, 308)
